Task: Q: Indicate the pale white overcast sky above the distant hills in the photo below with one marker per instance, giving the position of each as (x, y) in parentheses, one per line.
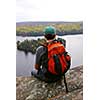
(48, 10)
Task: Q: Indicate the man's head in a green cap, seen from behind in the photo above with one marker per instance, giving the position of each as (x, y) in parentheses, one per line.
(49, 32)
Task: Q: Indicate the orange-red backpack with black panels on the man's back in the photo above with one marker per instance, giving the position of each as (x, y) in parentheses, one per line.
(58, 58)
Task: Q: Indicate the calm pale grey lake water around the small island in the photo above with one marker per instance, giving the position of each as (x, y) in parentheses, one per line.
(25, 62)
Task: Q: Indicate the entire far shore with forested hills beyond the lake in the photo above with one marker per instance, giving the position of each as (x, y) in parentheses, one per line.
(36, 28)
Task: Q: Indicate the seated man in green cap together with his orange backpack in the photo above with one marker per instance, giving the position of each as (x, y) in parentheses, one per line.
(52, 60)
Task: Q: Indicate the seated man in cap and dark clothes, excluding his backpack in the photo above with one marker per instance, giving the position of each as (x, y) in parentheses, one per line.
(41, 63)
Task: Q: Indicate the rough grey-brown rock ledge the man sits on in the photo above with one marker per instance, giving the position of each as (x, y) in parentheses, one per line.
(30, 88)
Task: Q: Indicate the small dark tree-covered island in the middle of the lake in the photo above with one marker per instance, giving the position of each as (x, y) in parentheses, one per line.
(32, 45)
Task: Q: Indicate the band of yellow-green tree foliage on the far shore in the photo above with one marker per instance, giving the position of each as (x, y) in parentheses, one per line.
(39, 28)
